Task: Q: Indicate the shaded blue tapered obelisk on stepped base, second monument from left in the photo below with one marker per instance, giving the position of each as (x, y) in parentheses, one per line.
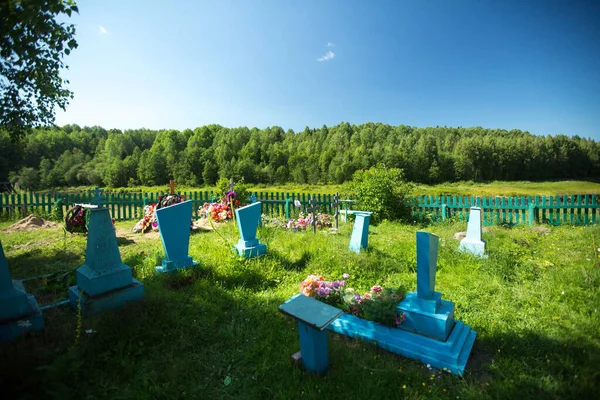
(103, 281)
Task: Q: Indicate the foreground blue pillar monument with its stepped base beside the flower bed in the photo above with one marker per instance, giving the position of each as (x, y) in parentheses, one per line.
(429, 333)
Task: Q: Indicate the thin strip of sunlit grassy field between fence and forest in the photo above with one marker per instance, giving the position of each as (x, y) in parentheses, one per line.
(496, 188)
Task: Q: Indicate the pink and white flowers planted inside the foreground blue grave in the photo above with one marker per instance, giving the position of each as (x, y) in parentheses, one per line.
(378, 304)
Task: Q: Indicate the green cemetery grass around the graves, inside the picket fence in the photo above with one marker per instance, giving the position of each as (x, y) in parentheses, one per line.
(534, 304)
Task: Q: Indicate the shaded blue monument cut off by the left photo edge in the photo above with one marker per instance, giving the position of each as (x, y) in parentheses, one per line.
(19, 311)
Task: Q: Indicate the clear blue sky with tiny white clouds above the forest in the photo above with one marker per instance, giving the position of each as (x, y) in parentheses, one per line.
(530, 65)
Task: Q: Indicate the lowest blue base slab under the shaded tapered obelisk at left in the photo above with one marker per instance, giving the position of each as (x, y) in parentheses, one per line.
(91, 305)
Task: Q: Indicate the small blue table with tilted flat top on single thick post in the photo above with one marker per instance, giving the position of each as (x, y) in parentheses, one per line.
(313, 317)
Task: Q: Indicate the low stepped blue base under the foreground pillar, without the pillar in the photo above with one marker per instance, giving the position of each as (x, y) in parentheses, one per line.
(451, 354)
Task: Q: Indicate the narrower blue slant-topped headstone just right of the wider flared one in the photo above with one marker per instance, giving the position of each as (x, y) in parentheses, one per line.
(247, 219)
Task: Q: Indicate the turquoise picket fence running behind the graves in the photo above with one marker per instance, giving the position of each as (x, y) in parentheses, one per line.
(580, 209)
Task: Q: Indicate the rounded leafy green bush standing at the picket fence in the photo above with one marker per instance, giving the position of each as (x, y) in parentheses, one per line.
(383, 191)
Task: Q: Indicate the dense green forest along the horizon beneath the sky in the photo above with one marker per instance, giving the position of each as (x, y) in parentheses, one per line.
(72, 156)
